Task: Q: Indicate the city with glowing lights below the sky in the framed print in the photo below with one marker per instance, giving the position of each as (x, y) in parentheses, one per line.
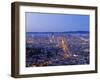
(54, 49)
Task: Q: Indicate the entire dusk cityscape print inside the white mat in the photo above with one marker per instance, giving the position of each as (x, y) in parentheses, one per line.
(56, 39)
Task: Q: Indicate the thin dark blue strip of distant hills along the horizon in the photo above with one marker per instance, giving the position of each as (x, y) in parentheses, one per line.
(74, 32)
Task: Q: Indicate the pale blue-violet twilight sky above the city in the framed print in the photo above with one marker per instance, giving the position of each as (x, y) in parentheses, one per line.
(42, 22)
